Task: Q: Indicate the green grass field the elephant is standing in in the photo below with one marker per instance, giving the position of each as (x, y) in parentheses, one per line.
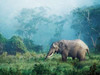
(34, 64)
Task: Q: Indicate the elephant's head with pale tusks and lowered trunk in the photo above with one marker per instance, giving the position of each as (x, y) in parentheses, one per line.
(56, 47)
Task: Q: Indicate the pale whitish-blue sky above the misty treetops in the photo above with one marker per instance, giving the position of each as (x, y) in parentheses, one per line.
(9, 8)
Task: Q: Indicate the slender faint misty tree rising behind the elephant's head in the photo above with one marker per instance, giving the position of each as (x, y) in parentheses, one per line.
(59, 22)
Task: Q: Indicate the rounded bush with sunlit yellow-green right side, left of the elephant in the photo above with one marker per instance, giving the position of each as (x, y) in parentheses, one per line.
(15, 44)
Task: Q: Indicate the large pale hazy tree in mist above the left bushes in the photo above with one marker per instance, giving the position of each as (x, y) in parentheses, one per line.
(29, 20)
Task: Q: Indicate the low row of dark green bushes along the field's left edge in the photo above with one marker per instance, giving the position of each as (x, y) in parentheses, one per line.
(17, 44)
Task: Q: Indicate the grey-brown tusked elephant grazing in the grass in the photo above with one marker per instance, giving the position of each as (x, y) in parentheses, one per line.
(69, 48)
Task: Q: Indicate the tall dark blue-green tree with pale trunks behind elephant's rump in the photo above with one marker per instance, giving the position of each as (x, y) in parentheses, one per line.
(86, 24)
